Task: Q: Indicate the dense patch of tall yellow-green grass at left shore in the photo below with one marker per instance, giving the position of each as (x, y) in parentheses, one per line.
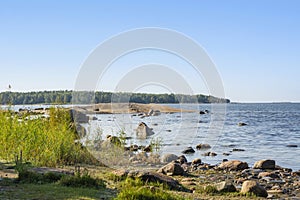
(42, 141)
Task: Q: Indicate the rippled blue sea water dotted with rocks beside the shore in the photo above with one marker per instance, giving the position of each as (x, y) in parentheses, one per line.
(271, 127)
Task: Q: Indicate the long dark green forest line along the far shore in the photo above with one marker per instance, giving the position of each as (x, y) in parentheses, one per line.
(86, 97)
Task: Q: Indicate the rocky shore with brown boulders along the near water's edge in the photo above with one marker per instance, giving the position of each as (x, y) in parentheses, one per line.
(264, 179)
